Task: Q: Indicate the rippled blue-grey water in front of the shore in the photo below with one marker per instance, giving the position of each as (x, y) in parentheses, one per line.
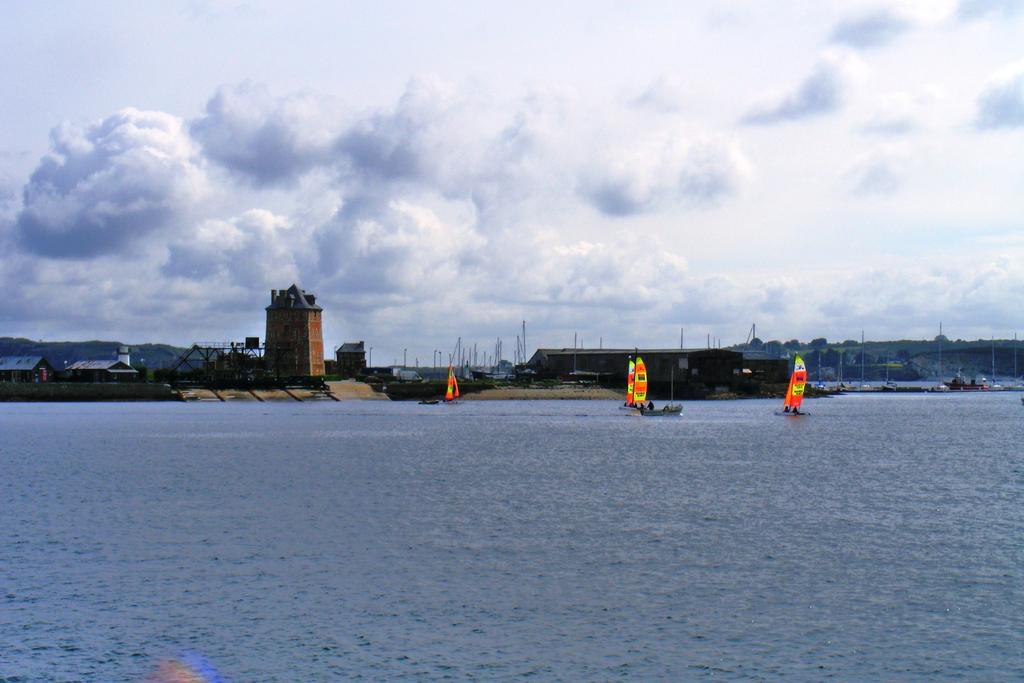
(880, 538)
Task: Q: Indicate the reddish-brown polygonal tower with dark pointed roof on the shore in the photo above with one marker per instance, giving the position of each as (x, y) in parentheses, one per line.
(294, 334)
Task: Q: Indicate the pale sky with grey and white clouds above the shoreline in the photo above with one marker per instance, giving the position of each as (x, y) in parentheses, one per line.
(433, 170)
